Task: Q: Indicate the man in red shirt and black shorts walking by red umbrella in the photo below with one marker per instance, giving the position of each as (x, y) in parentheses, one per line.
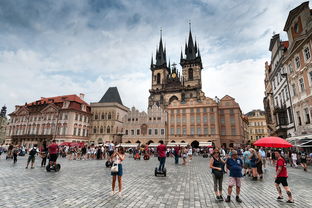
(281, 177)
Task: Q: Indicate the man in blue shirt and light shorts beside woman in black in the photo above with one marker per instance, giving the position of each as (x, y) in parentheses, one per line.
(234, 165)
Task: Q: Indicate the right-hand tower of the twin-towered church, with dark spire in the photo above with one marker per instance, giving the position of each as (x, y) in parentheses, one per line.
(191, 65)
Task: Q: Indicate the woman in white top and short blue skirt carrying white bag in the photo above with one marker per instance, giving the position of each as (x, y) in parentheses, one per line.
(117, 158)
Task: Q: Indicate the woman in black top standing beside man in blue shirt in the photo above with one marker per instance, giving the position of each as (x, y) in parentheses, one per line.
(217, 167)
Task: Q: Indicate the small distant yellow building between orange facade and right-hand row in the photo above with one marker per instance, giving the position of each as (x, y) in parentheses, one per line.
(257, 127)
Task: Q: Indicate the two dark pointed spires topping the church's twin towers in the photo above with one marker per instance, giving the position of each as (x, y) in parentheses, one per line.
(192, 54)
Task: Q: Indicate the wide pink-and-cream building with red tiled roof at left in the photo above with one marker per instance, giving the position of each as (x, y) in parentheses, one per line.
(63, 118)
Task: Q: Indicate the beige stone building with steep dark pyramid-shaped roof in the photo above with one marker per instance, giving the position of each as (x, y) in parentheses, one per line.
(107, 118)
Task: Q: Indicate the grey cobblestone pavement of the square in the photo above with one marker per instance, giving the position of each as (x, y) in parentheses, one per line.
(88, 184)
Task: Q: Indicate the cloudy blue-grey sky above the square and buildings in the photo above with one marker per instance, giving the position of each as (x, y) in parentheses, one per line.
(60, 47)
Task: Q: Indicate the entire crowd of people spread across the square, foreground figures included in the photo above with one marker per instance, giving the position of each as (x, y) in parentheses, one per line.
(236, 163)
